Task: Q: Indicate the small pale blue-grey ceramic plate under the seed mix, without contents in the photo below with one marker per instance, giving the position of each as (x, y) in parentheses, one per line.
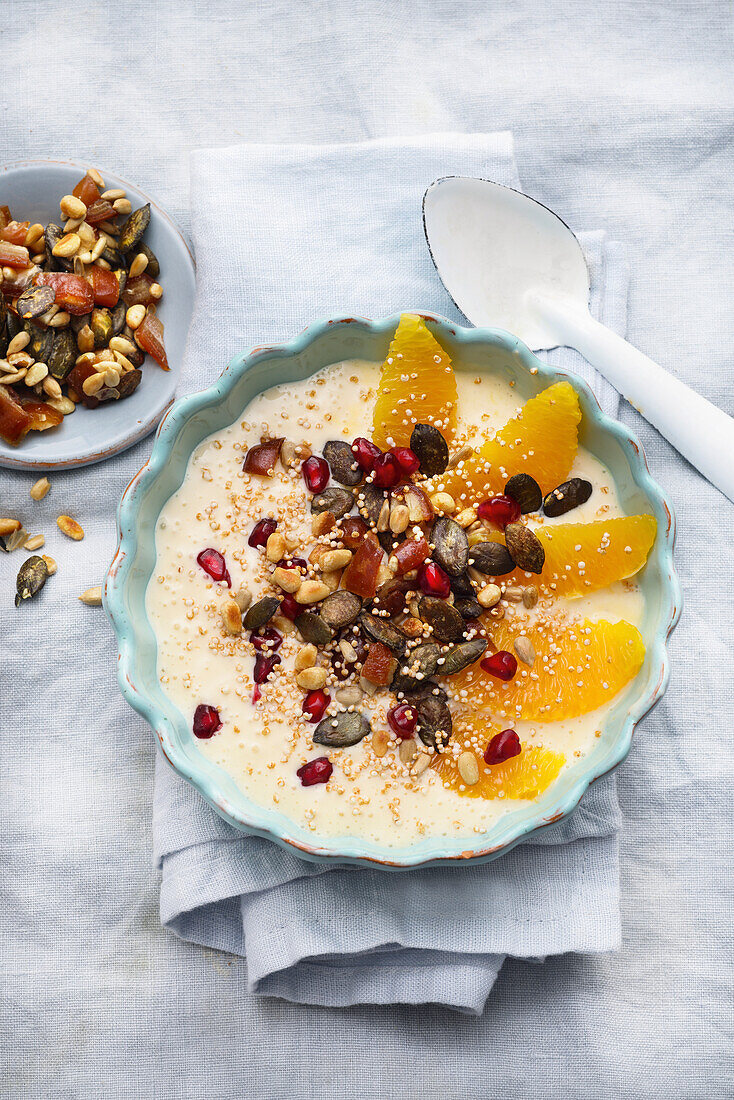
(32, 191)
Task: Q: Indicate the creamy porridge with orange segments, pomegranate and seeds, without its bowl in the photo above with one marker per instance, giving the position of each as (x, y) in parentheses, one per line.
(374, 606)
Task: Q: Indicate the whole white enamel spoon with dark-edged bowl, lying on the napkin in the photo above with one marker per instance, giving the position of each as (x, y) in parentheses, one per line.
(511, 263)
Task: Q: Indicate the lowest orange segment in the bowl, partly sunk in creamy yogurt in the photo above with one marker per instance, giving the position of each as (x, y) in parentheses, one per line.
(522, 777)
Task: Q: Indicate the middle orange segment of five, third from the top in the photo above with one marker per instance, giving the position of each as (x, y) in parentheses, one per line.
(598, 554)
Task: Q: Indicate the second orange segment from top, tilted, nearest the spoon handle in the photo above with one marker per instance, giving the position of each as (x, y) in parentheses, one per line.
(542, 441)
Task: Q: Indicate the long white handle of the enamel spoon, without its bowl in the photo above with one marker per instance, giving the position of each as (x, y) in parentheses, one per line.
(700, 432)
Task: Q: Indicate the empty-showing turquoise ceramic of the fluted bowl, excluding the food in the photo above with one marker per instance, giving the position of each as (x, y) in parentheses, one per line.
(193, 419)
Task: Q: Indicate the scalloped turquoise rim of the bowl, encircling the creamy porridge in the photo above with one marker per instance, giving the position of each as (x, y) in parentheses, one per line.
(133, 567)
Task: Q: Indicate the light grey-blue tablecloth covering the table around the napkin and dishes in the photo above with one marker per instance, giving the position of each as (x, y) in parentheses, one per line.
(623, 117)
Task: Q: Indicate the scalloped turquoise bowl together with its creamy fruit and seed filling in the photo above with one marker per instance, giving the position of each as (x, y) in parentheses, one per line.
(393, 593)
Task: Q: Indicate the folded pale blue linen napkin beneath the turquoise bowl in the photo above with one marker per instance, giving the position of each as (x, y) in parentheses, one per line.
(283, 236)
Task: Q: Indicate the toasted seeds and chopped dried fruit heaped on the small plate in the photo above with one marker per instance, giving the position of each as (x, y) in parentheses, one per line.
(78, 309)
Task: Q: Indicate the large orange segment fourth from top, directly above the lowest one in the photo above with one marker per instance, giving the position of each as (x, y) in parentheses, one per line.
(578, 667)
